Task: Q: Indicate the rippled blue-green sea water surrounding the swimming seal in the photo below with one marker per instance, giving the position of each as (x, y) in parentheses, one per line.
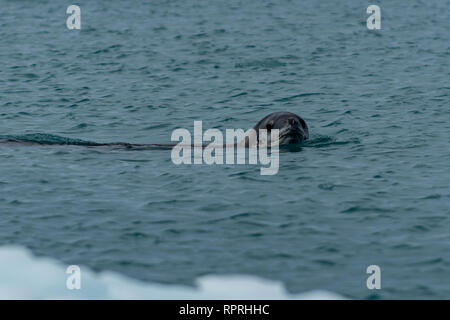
(370, 187)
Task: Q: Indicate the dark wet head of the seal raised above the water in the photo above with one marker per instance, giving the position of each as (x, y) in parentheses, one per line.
(292, 128)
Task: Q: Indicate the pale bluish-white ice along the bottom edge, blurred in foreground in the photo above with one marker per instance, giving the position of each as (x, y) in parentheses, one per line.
(24, 276)
